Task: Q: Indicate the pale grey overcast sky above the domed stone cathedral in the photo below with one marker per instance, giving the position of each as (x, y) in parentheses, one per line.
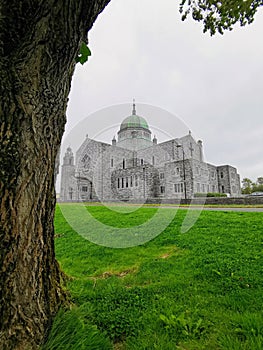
(214, 85)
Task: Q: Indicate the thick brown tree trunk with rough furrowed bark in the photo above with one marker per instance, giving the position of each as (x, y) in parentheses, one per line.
(39, 41)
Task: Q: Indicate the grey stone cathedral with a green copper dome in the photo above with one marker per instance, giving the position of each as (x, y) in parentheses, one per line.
(135, 167)
